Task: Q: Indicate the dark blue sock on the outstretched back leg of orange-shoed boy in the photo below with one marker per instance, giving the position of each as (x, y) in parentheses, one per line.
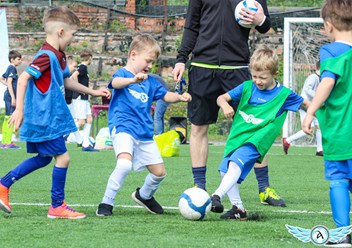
(24, 169)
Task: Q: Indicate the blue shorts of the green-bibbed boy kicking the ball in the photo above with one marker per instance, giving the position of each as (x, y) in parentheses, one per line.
(245, 157)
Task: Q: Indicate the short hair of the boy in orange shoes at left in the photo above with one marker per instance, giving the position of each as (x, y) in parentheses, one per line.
(60, 14)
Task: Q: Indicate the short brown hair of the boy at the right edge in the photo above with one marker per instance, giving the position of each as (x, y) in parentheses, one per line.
(338, 13)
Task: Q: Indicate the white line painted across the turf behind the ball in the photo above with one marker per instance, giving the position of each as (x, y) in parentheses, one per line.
(168, 207)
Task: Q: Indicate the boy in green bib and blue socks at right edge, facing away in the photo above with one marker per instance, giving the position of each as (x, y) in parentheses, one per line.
(333, 108)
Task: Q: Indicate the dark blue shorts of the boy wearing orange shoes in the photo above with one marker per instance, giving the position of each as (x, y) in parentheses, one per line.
(50, 148)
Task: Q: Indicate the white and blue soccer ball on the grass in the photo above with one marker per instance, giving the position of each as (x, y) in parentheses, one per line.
(194, 204)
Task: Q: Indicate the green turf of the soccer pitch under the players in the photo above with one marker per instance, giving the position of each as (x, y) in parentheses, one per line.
(297, 177)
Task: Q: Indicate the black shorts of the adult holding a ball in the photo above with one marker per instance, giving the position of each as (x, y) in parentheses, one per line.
(205, 85)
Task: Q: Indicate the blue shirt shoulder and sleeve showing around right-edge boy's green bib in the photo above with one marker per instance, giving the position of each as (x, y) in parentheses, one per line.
(330, 50)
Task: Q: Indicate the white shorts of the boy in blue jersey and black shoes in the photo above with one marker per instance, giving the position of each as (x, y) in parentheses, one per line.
(143, 153)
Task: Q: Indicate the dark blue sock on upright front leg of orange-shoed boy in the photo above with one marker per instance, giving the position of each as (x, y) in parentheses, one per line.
(58, 186)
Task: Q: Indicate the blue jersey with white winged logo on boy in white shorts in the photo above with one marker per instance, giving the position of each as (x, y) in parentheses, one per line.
(129, 109)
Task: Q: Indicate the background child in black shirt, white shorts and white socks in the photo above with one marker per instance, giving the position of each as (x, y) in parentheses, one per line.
(81, 103)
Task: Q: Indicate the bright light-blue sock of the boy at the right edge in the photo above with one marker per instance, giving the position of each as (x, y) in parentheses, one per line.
(340, 202)
